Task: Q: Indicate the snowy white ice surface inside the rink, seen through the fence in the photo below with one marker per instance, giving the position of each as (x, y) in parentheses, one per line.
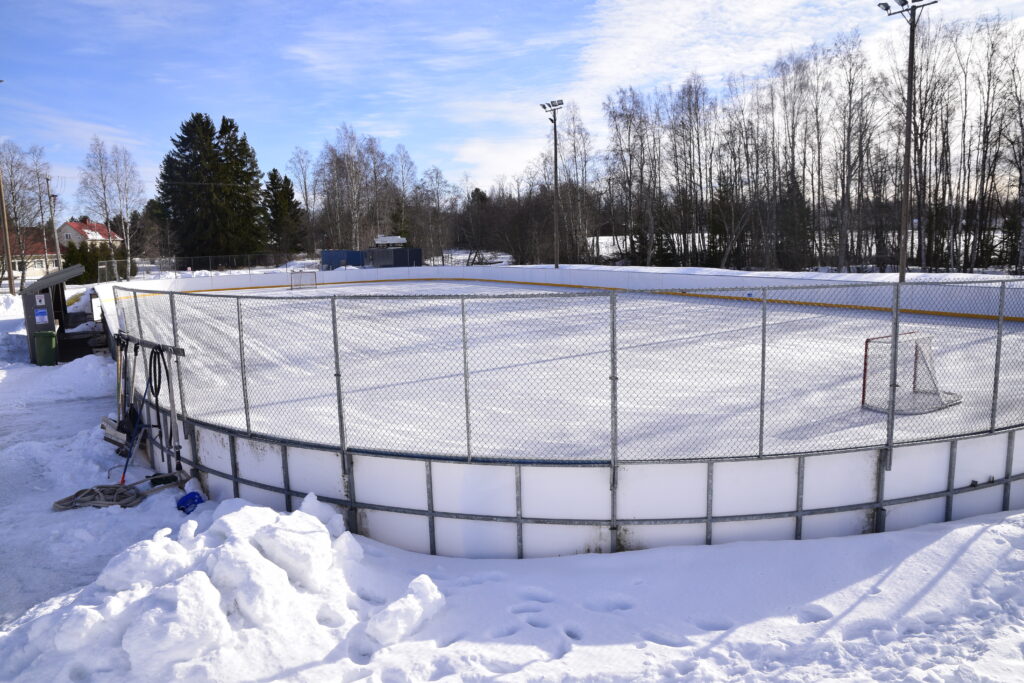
(690, 371)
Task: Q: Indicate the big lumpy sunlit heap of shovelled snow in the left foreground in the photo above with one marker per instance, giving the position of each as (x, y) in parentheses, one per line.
(238, 590)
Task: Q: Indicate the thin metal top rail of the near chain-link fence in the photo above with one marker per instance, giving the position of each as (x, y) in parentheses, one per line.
(599, 291)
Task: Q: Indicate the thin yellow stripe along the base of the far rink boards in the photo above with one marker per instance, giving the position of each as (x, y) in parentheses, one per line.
(788, 303)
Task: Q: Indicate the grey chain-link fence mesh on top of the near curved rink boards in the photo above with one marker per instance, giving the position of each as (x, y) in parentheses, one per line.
(595, 376)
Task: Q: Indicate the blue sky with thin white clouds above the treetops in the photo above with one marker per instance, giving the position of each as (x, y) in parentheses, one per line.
(458, 83)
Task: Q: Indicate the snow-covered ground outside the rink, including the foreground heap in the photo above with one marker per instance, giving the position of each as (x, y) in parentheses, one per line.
(239, 592)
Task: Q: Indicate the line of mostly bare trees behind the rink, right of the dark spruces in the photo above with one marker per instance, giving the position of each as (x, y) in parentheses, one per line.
(796, 167)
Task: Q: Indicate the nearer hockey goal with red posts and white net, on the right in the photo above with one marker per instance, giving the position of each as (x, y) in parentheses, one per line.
(917, 380)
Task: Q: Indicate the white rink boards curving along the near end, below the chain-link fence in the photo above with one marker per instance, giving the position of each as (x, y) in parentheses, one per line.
(766, 491)
